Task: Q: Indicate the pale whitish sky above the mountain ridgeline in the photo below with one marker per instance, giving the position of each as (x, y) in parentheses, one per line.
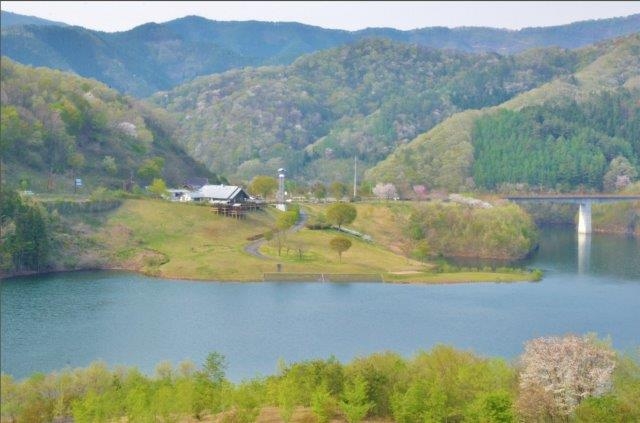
(350, 15)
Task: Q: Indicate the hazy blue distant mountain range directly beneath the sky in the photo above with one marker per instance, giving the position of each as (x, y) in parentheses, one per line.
(156, 57)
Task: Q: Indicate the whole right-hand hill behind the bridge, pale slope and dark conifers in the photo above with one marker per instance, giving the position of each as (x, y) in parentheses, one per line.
(576, 132)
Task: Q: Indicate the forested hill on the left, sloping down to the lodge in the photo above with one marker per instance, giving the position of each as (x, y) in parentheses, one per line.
(57, 126)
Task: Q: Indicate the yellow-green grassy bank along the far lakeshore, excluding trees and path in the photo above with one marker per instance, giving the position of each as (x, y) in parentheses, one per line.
(190, 242)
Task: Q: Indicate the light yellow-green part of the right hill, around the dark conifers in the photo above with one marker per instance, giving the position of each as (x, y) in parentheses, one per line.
(421, 159)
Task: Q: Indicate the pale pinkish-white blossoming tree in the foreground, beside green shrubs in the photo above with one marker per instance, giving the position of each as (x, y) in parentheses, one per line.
(565, 371)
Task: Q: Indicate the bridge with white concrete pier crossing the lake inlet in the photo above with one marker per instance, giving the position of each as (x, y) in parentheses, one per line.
(585, 201)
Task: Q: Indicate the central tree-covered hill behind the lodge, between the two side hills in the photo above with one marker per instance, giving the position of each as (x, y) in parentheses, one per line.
(363, 100)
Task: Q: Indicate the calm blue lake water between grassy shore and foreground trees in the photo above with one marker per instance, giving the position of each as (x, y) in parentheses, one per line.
(69, 320)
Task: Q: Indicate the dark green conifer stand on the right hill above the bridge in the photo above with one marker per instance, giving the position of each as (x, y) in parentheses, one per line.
(562, 145)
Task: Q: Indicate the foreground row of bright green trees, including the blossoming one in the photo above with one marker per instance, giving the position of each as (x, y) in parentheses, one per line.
(571, 378)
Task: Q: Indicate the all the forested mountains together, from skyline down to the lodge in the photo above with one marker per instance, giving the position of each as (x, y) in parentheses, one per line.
(570, 118)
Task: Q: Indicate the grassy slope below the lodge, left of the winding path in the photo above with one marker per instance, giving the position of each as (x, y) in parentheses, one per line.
(183, 241)
